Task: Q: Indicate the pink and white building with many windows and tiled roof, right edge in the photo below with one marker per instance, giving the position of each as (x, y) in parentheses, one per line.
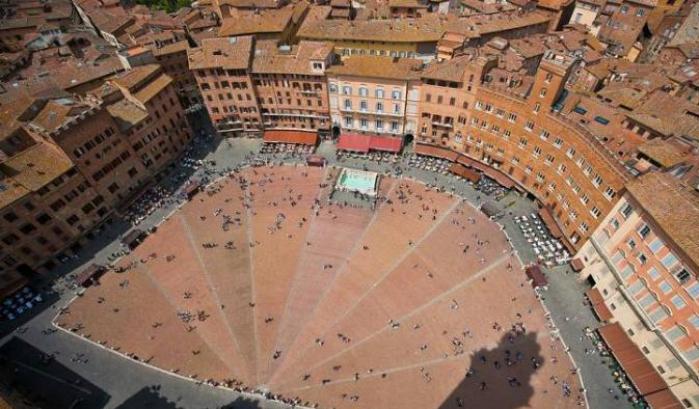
(642, 261)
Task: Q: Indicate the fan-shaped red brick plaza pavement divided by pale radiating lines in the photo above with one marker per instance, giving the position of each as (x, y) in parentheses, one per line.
(261, 280)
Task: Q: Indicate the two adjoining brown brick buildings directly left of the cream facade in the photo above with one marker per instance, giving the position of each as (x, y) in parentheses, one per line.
(251, 85)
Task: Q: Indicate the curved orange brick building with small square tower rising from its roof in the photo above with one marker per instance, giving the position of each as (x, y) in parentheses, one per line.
(559, 162)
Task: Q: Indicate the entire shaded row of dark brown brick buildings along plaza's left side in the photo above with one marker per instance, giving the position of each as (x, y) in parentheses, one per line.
(66, 164)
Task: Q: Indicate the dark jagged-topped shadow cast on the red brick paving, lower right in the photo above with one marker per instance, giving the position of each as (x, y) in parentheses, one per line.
(499, 378)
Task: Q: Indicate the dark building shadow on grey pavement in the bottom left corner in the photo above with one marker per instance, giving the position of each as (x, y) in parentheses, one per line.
(40, 378)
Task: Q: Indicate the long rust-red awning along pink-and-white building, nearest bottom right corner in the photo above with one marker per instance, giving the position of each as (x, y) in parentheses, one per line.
(641, 372)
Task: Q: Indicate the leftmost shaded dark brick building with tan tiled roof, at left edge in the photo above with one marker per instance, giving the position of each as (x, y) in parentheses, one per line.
(47, 205)
